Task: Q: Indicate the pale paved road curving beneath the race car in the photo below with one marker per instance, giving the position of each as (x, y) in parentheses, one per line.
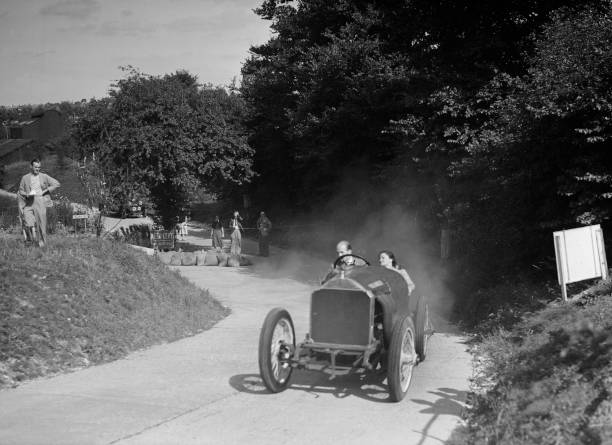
(206, 390)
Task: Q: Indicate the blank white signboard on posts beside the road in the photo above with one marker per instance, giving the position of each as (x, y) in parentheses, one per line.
(580, 254)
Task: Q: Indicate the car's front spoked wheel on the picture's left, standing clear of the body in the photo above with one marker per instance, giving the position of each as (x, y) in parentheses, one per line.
(276, 344)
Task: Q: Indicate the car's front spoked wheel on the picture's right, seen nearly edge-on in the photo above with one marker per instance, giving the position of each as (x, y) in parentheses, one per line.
(402, 358)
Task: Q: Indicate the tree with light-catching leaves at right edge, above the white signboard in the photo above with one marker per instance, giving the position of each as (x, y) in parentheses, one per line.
(536, 158)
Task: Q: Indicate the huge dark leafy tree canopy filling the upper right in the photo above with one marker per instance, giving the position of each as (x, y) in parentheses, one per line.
(489, 118)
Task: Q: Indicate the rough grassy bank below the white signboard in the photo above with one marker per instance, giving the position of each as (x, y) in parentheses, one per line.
(548, 378)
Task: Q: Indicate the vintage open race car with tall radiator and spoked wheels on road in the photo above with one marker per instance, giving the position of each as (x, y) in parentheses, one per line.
(361, 320)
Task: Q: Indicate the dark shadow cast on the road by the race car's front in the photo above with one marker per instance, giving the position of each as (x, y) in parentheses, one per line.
(368, 386)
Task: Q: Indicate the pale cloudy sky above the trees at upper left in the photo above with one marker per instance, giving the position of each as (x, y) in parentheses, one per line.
(69, 50)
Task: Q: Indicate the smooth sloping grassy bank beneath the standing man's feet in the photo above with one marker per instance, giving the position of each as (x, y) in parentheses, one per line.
(83, 301)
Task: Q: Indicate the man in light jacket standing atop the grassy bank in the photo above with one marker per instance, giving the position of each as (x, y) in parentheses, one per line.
(34, 198)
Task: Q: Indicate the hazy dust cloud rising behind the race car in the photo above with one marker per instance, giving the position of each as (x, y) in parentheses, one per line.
(371, 219)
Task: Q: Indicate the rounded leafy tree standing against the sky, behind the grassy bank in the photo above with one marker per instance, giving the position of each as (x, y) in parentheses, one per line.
(160, 137)
